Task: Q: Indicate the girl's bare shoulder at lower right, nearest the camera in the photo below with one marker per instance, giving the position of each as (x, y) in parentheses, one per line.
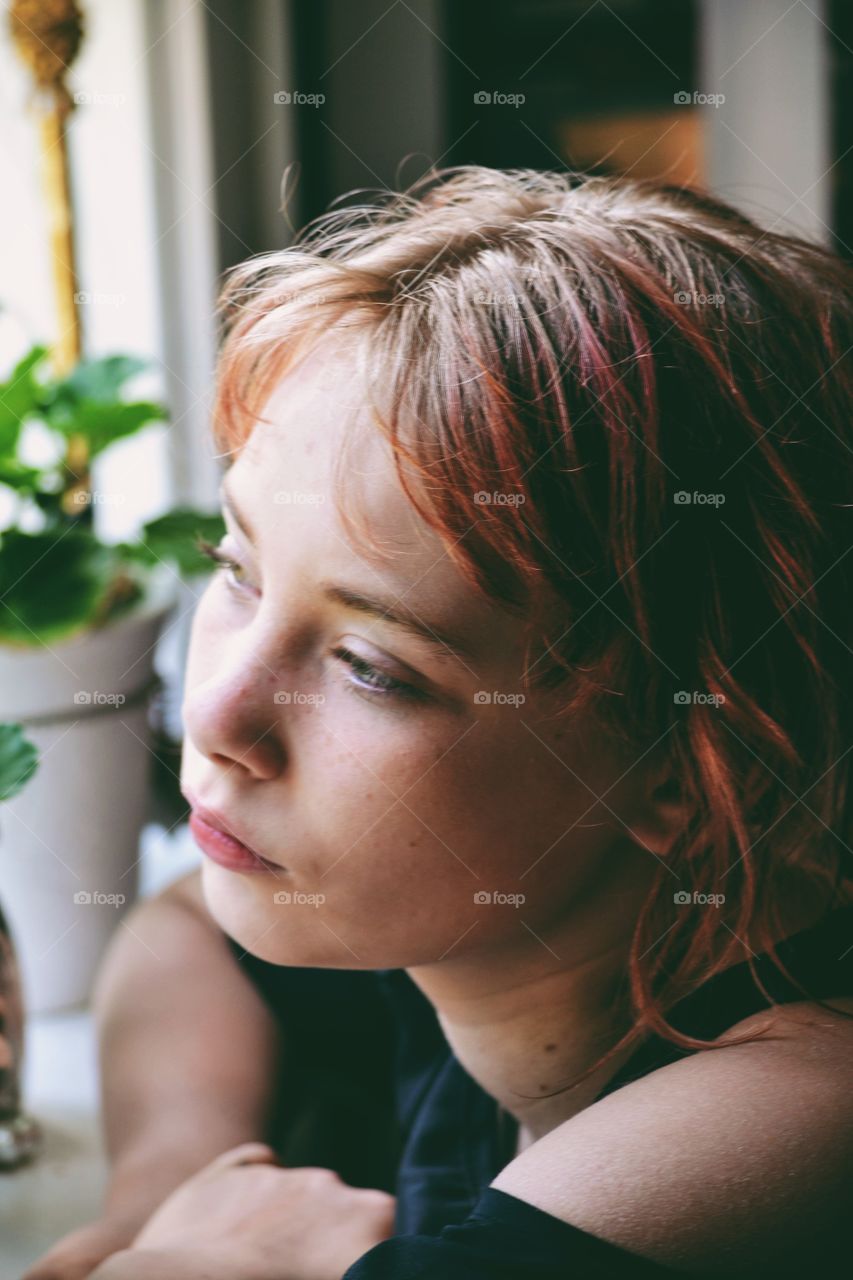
(731, 1162)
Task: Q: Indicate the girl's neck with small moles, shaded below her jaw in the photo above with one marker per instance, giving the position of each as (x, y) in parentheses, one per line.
(528, 1017)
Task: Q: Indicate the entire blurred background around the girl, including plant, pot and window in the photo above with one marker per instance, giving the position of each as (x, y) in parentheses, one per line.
(166, 162)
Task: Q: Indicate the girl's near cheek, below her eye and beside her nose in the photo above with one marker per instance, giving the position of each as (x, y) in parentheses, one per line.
(434, 812)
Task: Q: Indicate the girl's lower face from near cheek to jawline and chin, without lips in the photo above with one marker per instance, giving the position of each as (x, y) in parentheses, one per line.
(410, 839)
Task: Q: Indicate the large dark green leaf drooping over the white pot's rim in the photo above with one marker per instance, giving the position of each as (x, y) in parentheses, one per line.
(53, 584)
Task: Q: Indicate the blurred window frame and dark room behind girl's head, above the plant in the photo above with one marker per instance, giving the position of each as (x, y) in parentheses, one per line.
(189, 111)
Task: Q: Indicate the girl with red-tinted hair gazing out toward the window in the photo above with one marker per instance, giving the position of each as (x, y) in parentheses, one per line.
(518, 734)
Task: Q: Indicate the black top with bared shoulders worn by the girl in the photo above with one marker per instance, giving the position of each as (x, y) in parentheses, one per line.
(449, 1137)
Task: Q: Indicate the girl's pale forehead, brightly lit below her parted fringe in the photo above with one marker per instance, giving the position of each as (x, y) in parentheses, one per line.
(284, 483)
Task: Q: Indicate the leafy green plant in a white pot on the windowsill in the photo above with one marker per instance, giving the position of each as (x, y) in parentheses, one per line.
(80, 619)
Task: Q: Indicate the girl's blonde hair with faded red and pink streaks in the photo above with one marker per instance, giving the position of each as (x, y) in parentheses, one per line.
(603, 348)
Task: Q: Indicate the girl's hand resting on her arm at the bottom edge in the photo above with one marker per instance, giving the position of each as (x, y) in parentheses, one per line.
(248, 1219)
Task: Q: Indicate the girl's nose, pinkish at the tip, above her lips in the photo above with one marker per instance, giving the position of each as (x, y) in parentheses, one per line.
(232, 719)
